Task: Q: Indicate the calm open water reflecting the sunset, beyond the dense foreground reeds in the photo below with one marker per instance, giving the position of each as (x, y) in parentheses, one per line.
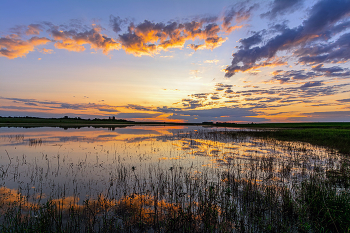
(52, 163)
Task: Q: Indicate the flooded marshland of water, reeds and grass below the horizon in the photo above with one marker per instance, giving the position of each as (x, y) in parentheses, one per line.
(183, 179)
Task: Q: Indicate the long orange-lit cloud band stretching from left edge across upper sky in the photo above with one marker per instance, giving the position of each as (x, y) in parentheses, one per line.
(139, 39)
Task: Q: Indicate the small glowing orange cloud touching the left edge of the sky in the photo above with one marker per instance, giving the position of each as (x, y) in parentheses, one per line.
(11, 47)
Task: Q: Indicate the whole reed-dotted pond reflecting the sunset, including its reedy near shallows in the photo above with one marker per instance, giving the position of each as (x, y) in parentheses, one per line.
(156, 174)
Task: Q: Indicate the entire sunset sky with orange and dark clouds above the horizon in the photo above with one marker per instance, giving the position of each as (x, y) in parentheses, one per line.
(176, 61)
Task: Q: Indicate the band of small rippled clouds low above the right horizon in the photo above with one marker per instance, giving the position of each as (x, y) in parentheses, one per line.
(261, 98)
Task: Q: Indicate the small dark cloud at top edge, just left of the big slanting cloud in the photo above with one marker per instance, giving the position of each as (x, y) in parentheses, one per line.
(282, 7)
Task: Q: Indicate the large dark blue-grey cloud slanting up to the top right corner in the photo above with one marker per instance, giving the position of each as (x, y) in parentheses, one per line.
(322, 18)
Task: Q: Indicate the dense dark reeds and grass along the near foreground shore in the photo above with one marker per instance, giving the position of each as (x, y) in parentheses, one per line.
(231, 206)
